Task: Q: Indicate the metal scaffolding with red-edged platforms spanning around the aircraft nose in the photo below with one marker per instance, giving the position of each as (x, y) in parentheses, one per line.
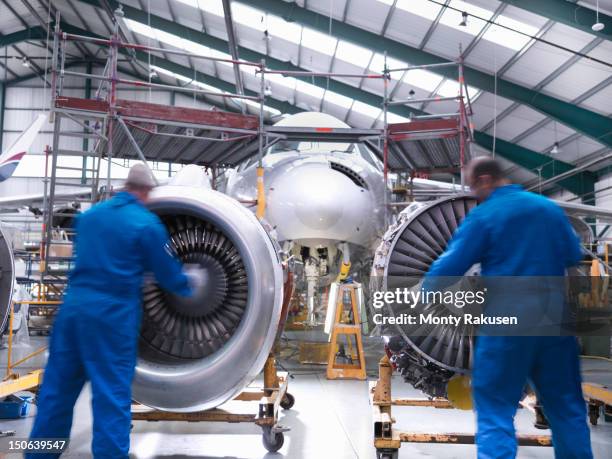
(128, 129)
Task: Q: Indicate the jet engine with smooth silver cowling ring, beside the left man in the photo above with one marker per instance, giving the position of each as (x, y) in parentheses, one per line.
(196, 354)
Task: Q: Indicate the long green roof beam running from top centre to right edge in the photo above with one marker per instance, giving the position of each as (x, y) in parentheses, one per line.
(588, 122)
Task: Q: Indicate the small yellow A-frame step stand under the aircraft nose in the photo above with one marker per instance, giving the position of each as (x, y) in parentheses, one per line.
(350, 329)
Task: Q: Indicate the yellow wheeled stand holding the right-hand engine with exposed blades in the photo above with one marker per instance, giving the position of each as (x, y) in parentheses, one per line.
(388, 440)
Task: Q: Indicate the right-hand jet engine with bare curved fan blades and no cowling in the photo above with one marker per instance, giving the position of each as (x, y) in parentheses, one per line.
(426, 360)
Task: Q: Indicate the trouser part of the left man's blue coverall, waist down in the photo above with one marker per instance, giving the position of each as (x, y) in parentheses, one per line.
(96, 343)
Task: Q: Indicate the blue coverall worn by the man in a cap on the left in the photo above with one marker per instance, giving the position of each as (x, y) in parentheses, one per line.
(95, 333)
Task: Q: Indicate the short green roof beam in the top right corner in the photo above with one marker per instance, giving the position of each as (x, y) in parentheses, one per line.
(568, 13)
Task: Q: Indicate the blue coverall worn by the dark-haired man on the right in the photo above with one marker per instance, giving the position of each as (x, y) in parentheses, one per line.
(517, 233)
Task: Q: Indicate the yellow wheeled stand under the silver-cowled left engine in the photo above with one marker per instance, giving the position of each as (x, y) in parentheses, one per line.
(272, 396)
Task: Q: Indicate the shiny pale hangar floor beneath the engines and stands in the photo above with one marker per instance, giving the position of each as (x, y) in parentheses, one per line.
(331, 419)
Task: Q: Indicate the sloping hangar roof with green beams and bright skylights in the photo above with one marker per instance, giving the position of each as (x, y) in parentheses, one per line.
(538, 76)
